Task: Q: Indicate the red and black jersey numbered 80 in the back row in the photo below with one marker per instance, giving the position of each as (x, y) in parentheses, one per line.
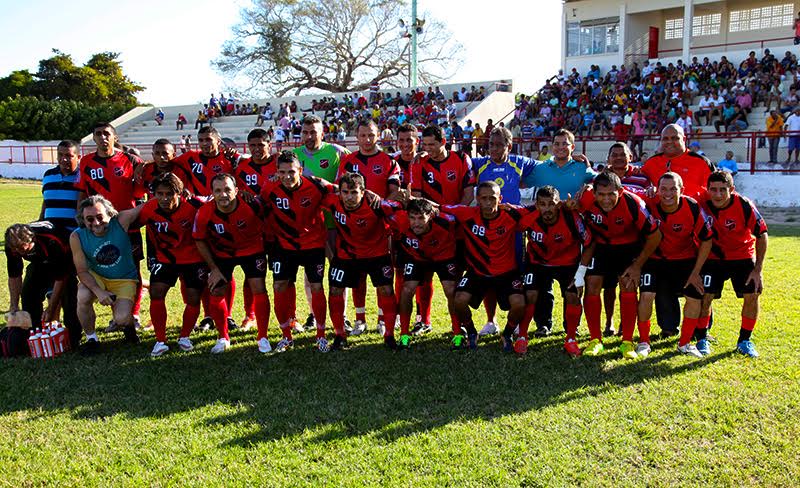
(111, 178)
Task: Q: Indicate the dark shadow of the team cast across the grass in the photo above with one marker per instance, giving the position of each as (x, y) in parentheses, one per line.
(364, 390)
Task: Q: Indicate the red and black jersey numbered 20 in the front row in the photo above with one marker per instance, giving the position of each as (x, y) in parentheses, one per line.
(297, 213)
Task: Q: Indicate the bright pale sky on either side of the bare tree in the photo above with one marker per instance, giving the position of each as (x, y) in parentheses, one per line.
(168, 45)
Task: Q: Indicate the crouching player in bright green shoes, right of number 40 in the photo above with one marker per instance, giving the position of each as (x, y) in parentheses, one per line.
(428, 241)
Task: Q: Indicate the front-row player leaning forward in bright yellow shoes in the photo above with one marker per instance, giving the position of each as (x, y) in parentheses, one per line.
(619, 221)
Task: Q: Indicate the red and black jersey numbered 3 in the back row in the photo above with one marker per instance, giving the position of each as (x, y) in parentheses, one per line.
(444, 181)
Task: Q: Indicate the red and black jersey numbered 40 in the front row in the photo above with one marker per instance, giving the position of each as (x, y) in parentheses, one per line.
(363, 232)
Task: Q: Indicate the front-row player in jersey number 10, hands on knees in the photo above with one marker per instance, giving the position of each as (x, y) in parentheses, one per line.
(229, 232)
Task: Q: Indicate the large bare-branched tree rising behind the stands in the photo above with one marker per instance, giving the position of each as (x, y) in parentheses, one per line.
(283, 46)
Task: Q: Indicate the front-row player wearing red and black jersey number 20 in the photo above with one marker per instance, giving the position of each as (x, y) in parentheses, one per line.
(294, 201)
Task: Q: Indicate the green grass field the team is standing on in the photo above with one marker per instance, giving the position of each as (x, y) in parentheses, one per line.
(428, 417)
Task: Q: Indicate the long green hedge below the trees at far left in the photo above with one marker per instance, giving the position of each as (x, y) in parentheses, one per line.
(31, 118)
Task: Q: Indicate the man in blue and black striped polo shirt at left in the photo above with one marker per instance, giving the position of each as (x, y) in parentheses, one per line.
(59, 192)
